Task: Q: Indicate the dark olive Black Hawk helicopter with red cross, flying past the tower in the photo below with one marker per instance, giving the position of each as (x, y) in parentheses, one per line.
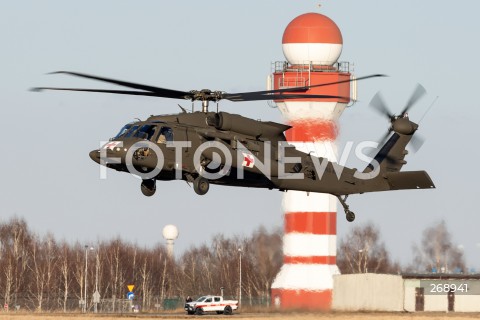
(206, 147)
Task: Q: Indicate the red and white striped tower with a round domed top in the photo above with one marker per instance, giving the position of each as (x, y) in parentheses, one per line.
(312, 44)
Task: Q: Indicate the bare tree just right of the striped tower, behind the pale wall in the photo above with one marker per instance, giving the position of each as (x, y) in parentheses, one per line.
(362, 251)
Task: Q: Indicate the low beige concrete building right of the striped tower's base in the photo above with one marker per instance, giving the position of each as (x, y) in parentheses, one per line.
(409, 292)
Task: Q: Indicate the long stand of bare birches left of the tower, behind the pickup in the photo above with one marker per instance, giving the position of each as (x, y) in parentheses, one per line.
(42, 274)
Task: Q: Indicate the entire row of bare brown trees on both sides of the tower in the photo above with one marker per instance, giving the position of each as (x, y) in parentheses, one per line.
(42, 274)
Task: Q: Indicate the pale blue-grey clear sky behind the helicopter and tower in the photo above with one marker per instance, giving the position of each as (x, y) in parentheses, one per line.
(48, 178)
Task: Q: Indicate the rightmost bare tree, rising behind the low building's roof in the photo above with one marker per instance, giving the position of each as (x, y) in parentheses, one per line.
(437, 252)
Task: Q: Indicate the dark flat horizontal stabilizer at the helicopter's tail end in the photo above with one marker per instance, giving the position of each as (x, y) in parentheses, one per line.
(409, 180)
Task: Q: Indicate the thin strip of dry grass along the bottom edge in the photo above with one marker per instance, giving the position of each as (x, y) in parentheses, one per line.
(252, 316)
